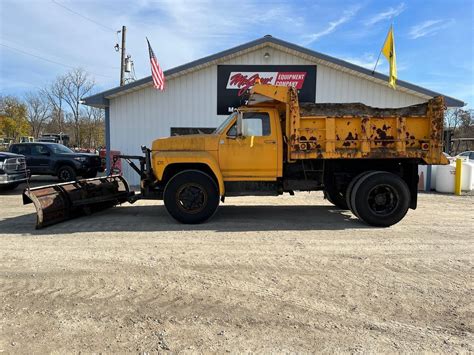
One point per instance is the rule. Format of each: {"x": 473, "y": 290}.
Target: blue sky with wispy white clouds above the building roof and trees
{"x": 41, "y": 39}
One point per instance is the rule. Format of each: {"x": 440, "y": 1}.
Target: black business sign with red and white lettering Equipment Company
{"x": 233, "y": 81}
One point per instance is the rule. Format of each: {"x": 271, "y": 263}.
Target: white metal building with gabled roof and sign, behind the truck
{"x": 200, "y": 94}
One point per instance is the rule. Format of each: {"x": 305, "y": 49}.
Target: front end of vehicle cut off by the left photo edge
{"x": 12, "y": 170}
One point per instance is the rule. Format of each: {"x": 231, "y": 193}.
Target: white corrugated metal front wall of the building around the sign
{"x": 190, "y": 100}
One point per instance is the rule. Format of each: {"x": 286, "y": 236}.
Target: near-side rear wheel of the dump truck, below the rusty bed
{"x": 380, "y": 199}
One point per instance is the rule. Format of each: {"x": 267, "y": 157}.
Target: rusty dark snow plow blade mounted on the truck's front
{"x": 60, "y": 202}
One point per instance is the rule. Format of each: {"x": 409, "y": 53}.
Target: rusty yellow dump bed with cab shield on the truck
{"x": 357, "y": 131}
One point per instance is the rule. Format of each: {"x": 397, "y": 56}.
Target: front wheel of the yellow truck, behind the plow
{"x": 191, "y": 197}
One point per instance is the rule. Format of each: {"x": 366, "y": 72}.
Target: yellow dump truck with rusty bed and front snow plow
{"x": 364, "y": 159}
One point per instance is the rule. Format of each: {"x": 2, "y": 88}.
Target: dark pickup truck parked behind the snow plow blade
{"x": 57, "y": 160}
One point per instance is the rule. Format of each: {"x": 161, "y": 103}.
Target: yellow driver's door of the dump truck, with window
{"x": 254, "y": 155}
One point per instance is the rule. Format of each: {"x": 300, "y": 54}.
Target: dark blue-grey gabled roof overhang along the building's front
{"x": 102, "y": 99}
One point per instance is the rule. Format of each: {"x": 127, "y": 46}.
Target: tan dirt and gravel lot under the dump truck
{"x": 266, "y": 274}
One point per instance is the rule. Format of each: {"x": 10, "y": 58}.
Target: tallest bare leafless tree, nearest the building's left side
{"x": 77, "y": 85}
